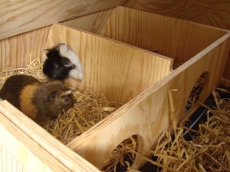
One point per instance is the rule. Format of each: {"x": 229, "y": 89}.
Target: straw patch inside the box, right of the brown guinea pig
{"x": 87, "y": 111}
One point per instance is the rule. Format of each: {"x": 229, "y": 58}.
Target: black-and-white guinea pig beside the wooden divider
{"x": 62, "y": 62}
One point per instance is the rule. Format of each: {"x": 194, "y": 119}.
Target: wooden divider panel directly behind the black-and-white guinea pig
{"x": 112, "y": 67}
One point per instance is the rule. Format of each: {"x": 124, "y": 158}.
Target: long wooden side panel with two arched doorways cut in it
{"x": 149, "y": 114}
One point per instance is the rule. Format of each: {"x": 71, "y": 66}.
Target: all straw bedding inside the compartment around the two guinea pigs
{"x": 87, "y": 111}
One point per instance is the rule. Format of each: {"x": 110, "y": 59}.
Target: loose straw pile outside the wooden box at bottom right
{"x": 208, "y": 151}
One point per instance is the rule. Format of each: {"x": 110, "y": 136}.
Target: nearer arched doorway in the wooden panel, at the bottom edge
{"x": 122, "y": 156}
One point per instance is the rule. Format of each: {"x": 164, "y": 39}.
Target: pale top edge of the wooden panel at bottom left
{"x": 69, "y": 159}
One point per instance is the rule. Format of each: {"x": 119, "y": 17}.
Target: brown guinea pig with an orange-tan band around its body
{"x": 42, "y": 102}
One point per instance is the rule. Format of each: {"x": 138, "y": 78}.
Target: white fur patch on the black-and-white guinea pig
{"x": 67, "y": 52}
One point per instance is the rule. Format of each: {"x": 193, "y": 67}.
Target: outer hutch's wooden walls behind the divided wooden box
{"x": 19, "y": 17}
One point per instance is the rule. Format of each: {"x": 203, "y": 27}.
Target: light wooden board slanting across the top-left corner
{"x": 21, "y": 16}
